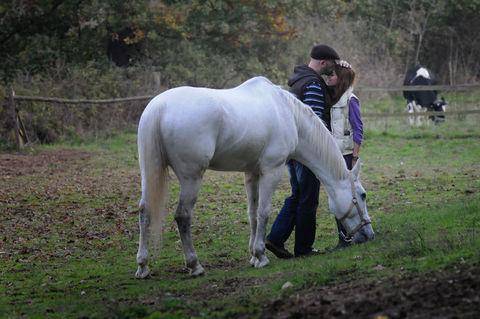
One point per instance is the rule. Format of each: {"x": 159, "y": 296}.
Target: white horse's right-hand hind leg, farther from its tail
{"x": 189, "y": 188}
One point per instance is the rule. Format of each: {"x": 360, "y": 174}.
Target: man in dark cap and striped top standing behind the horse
{"x": 299, "y": 210}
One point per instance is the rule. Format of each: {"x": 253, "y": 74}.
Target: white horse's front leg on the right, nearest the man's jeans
{"x": 267, "y": 184}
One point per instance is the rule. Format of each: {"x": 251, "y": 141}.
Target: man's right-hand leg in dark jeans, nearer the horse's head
{"x": 305, "y": 221}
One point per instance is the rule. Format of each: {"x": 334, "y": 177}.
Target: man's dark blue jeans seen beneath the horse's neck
{"x": 298, "y": 211}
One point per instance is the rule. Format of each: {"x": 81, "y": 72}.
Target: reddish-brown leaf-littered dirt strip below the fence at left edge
{"x": 12, "y": 165}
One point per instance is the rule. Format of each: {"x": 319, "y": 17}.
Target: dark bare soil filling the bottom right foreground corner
{"x": 450, "y": 293}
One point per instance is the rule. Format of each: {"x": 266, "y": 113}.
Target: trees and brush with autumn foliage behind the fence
{"x": 111, "y": 48}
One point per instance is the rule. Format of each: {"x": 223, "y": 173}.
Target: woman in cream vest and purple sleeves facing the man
{"x": 346, "y": 123}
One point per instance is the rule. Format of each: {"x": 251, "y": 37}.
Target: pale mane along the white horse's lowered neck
{"x": 317, "y": 135}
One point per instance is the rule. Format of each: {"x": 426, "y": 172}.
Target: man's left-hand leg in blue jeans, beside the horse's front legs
{"x": 285, "y": 221}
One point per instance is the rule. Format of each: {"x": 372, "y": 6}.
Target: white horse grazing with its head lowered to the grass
{"x": 253, "y": 128}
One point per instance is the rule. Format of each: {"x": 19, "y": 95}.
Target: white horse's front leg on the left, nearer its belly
{"x": 251, "y": 187}
